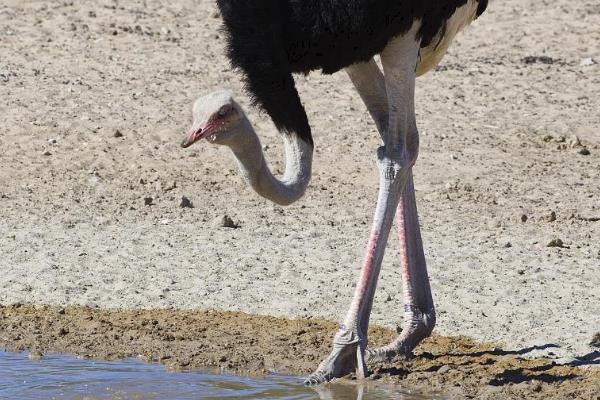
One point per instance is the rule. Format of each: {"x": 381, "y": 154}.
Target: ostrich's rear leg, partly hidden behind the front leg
{"x": 419, "y": 314}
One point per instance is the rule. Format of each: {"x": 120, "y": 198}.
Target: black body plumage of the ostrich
{"x": 268, "y": 40}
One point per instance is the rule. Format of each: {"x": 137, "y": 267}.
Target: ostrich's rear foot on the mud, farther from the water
{"x": 418, "y": 327}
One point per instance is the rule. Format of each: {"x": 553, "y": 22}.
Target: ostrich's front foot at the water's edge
{"x": 348, "y": 354}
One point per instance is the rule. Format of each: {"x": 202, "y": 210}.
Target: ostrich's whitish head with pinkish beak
{"x": 217, "y": 118}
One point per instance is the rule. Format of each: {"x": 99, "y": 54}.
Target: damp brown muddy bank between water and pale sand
{"x": 252, "y": 344}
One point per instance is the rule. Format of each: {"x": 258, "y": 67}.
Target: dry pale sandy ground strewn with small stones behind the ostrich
{"x": 95, "y": 97}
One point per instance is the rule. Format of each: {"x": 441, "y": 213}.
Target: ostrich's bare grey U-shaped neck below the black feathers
{"x": 254, "y": 168}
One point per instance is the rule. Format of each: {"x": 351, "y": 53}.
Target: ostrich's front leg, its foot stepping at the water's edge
{"x": 395, "y": 160}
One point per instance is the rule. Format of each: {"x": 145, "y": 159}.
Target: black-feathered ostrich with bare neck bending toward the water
{"x": 268, "y": 41}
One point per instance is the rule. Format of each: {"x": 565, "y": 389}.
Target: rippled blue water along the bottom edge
{"x": 58, "y": 376}
